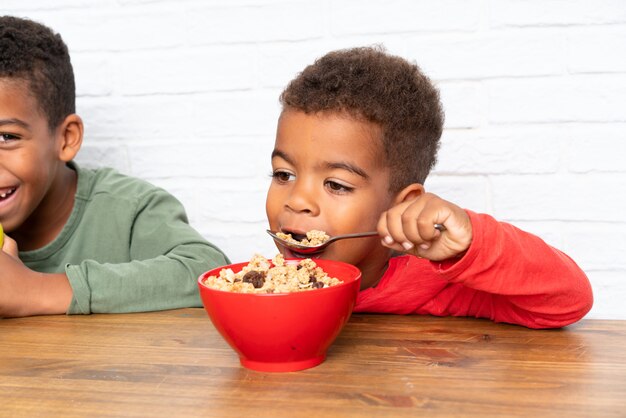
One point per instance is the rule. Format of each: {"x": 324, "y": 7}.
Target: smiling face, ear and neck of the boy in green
{"x": 33, "y": 176}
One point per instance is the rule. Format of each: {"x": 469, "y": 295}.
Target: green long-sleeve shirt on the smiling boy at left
{"x": 126, "y": 247}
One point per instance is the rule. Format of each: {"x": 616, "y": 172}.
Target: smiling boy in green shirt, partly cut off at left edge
{"x": 78, "y": 241}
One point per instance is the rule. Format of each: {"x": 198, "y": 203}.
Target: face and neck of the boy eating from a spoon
{"x": 328, "y": 174}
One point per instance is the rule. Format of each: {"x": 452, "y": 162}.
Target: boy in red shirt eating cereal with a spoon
{"x": 357, "y": 136}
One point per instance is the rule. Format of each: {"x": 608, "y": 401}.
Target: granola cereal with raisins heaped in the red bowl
{"x": 263, "y": 276}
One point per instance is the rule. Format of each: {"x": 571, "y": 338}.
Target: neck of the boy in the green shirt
{"x": 47, "y": 221}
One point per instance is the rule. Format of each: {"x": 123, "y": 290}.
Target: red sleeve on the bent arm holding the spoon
{"x": 509, "y": 275}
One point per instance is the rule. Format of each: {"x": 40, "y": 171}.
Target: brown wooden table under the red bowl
{"x": 174, "y": 364}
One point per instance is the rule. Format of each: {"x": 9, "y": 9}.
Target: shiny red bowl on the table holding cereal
{"x": 283, "y": 332}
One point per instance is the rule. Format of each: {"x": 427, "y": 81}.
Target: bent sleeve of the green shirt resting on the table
{"x": 167, "y": 257}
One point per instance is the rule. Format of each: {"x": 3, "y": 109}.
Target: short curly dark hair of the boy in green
{"x": 32, "y": 52}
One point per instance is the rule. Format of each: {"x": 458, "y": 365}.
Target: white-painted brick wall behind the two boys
{"x": 184, "y": 94}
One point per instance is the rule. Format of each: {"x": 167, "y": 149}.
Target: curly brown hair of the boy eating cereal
{"x": 369, "y": 84}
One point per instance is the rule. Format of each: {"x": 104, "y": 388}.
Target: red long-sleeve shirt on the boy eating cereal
{"x": 506, "y": 275}
